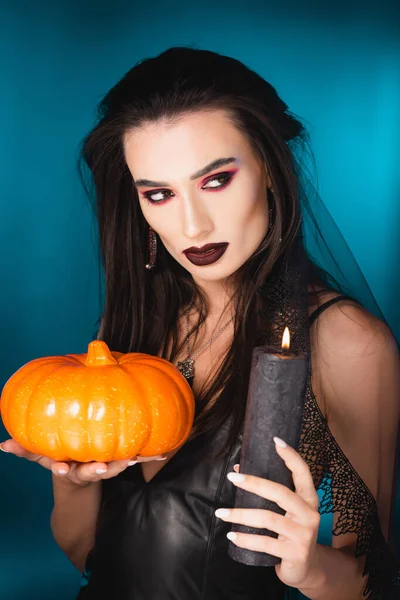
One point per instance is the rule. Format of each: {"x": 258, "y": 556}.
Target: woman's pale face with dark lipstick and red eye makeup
{"x": 190, "y": 203}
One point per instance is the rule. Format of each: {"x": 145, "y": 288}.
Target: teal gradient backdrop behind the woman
{"x": 337, "y": 67}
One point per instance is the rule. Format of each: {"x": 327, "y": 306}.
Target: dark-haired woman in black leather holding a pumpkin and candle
{"x": 225, "y": 272}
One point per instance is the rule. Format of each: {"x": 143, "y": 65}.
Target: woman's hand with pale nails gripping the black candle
{"x": 296, "y": 544}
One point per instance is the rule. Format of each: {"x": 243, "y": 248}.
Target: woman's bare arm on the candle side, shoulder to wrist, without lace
{"x": 356, "y": 378}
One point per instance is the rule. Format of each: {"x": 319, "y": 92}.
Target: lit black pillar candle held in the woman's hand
{"x": 274, "y": 407}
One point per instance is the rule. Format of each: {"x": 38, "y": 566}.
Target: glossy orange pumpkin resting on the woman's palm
{"x": 98, "y": 406}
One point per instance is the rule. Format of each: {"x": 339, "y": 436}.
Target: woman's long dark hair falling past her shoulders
{"x": 142, "y": 308}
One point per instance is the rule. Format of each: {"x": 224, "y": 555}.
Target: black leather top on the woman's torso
{"x": 161, "y": 540}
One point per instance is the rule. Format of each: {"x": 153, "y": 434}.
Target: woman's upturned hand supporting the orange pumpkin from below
{"x": 78, "y": 473}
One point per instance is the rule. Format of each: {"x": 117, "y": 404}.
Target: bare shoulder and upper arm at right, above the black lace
{"x": 356, "y": 382}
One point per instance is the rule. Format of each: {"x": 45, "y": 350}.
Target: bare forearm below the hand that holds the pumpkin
{"x": 74, "y": 516}
